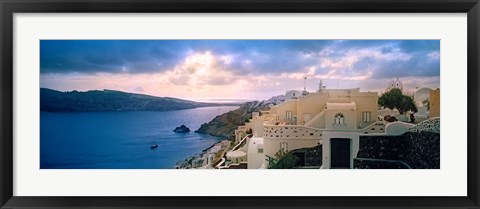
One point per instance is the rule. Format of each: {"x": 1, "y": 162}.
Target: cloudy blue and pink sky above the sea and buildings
{"x": 236, "y": 69}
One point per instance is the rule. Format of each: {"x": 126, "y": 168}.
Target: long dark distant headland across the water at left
{"x": 109, "y": 100}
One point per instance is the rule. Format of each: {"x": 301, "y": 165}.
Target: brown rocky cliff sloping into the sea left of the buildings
{"x": 224, "y": 125}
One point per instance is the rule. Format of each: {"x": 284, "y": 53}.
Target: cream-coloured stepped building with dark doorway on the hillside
{"x": 334, "y": 118}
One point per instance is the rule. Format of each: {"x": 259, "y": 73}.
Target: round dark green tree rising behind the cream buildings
{"x": 395, "y": 99}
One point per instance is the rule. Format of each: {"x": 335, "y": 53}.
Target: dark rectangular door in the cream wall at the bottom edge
{"x": 340, "y": 152}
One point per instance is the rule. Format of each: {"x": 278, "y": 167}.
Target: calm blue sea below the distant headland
{"x": 122, "y": 140}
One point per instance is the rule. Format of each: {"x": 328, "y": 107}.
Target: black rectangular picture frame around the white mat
{"x": 10, "y": 7}
